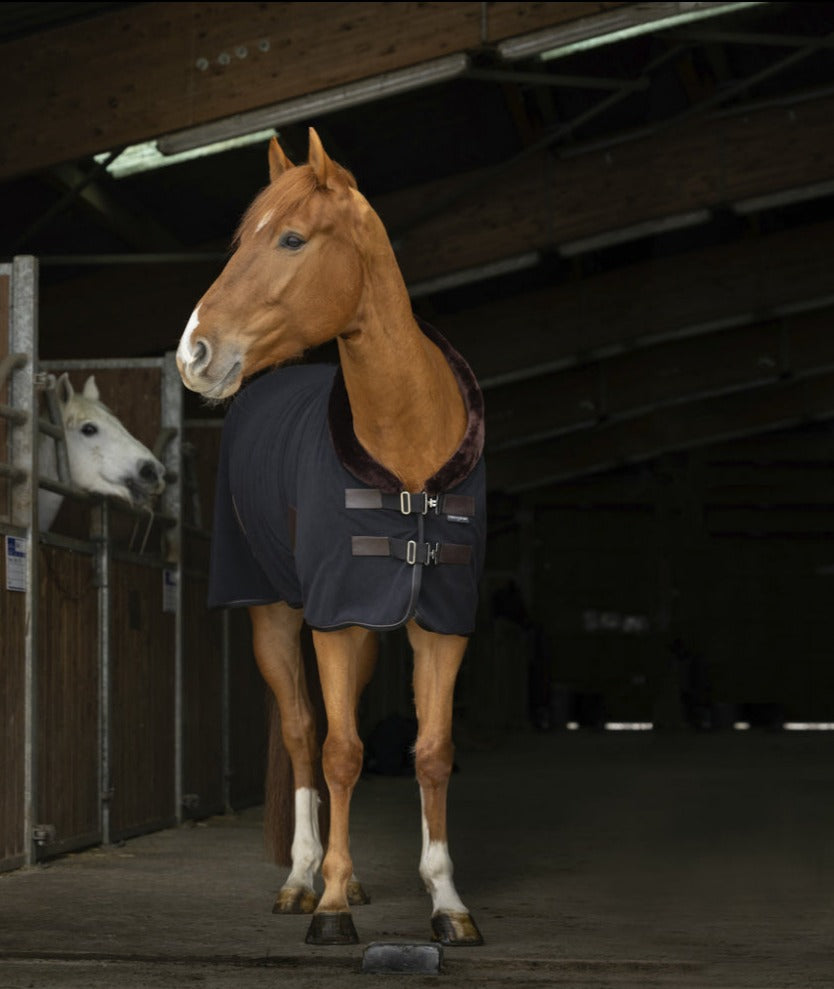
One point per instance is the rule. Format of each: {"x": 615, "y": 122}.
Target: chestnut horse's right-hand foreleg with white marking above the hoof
{"x": 437, "y": 659}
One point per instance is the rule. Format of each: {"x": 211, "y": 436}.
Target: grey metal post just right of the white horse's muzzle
{"x": 172, "y": 505}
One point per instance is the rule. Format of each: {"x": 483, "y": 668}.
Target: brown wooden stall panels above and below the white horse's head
{"x": 137, "y": 733}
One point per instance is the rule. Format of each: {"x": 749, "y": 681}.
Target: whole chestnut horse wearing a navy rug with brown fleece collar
{"x": 295, "y": 535}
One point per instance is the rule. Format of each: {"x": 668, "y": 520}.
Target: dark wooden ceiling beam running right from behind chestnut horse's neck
{"x": 644, "y": 304}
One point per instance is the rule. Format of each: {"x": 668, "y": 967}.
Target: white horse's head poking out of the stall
{"x": 103, "y": 456}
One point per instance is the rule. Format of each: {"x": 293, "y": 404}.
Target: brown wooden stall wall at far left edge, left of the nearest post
{"x": 12, "y": 659}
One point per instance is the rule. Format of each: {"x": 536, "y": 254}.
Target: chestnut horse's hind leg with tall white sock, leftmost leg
{"x": 276, "y": 639}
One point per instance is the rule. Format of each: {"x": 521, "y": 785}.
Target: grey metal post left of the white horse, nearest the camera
{"x": 24, "y": 339}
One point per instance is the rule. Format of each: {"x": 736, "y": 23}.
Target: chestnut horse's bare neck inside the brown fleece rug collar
{"x": 407, "y": 409}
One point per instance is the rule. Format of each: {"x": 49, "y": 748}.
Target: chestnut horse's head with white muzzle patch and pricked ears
{"x": 295, "y": 280}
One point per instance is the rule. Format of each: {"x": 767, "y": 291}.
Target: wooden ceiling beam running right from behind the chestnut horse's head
{"x": 542, "y": 202}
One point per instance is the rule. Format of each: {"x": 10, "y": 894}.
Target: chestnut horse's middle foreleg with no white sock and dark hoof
{"x": 344, "y": 660}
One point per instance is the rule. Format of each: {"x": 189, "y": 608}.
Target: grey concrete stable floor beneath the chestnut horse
{"x": 593, "y": 860}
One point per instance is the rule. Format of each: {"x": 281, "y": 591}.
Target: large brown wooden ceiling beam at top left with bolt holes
{"x": 153, "y": 68}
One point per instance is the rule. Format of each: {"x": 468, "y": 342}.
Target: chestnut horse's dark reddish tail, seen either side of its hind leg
{"x": 279, "y": 789}
